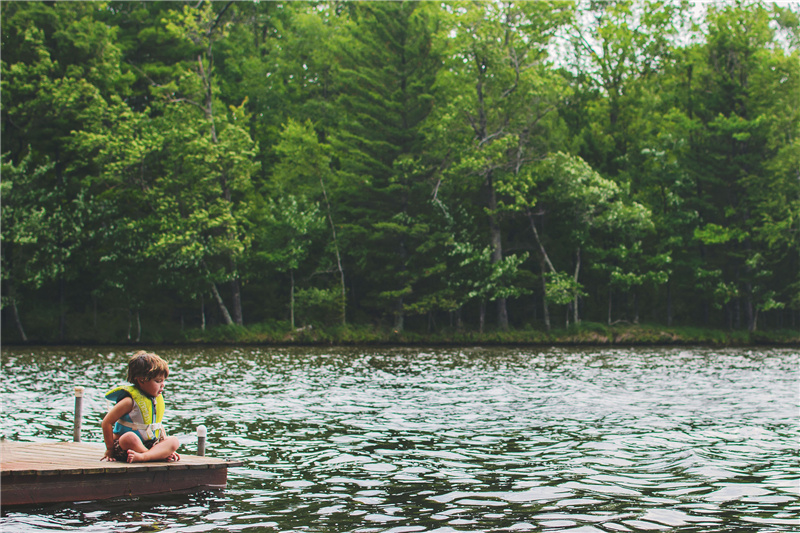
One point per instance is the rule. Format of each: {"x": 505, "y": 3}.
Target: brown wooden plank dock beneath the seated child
{"x": 49, "y": 472}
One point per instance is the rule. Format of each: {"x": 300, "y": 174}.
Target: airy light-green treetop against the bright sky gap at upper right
{"x": 618, "y": 50}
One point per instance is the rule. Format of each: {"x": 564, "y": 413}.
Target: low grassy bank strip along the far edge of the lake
{"x": 584, "y": 334}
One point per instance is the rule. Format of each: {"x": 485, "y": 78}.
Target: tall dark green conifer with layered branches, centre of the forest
{"x": 385, "y": 74}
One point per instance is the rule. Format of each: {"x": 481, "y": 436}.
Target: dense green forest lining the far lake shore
{"x": 172, "y": 168}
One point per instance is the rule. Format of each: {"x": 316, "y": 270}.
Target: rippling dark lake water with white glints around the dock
{"x": 446, "y": 440}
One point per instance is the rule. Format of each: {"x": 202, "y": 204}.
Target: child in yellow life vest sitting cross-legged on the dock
{"x": 132, "y": 429}
